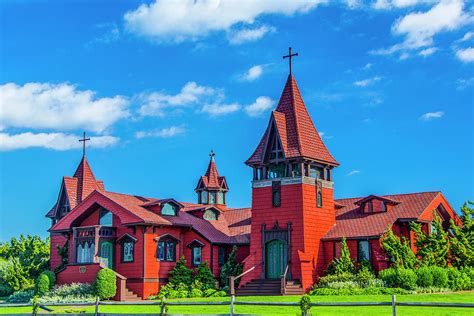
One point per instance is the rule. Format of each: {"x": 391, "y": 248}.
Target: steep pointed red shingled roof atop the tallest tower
{"x": 297, "y": 132}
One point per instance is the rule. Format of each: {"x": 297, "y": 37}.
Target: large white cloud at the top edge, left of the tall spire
{"x": 181, "y": 20}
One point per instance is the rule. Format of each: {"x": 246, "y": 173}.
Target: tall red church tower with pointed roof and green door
{"x": 292, "y": 194}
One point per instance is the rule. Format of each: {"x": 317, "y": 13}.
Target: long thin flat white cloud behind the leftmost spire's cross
{"x": 56, "y": 141}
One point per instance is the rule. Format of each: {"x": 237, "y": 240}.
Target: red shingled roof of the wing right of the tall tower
{"x": 351, "y": 222}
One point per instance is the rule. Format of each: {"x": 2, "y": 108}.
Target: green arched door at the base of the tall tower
{"x": 275, "y": 259}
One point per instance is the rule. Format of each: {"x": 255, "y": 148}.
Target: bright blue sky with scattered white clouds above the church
{"x": 157, "y": 85}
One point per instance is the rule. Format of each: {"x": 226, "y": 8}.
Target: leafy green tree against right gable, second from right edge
{"x": 433, "y": 247}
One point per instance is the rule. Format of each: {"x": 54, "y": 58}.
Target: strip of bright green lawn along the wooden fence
{"x": 461, "y": 297}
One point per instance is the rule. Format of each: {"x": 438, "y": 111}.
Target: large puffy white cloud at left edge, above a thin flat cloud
{"x": 58, "y": 107}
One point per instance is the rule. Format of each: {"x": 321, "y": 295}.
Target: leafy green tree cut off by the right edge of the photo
{"x": 462, "y": 239}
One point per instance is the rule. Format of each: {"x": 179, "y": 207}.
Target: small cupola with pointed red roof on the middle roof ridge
{"x": 212, "y": 188}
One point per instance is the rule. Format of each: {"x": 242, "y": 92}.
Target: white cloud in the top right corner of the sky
{"x": 419, "y": 28}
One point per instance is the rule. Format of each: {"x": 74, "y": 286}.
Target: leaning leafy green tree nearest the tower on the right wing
{"x": 398, "y": 250}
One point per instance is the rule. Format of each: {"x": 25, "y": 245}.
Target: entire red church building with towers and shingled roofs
{"x": 293, "y": 228}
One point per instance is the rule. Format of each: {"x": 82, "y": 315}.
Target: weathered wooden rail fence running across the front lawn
{"x": 232, "y": 303}
